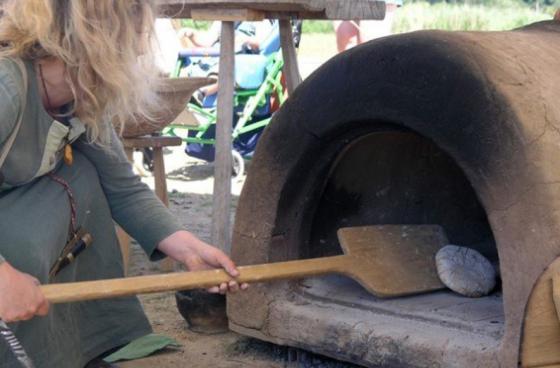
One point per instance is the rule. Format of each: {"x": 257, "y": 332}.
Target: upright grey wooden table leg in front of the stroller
{"x": 221, "y": 234}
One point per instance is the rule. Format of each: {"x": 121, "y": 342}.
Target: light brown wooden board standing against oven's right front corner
{"x": 541, "y": 331}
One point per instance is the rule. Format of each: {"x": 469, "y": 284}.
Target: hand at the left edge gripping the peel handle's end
{"x": 20, "y": 296}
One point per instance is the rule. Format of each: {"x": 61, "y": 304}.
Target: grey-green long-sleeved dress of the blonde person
{"x": 35, "y": 217}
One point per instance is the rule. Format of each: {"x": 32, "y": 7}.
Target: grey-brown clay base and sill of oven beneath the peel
{"x": 334, "y": 316}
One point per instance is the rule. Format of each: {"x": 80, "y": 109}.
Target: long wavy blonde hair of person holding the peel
{"x": 106, "y": 46}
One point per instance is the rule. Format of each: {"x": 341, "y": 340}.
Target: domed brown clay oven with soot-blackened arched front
{"x": 456, "y": 129}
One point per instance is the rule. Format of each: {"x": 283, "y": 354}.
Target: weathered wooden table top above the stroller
{"x": 277, "y": 9}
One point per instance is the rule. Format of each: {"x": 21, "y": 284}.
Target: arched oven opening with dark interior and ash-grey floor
{"x": 400, "y": 177}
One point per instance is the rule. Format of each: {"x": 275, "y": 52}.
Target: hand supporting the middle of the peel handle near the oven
{"x": 198, "y": 256}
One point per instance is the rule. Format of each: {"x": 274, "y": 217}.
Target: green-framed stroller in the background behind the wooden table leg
{"x": 258, "y": 94}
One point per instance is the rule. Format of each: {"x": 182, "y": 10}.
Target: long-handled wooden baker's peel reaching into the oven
{"x": 387, "y": 260}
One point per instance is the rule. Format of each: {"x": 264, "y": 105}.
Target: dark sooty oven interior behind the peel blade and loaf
{"x": 377, "y": 173}
